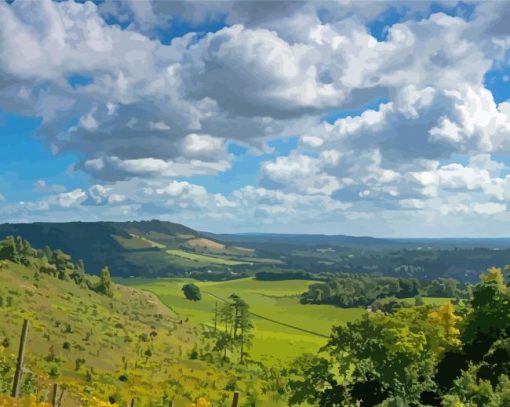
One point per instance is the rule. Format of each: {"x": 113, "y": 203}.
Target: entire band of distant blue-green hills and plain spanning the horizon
{"x": 161, "y": 249}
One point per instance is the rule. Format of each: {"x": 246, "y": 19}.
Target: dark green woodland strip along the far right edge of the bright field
{"x": 362, "y": 290}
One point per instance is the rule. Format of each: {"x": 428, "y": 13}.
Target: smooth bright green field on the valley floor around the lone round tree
{"x": 278, "y": 300}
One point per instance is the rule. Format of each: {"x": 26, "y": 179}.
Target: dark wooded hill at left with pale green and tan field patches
{"x": 148, "y": 248}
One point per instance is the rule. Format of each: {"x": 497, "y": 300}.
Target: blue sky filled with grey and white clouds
{"x": 353, "y": 117}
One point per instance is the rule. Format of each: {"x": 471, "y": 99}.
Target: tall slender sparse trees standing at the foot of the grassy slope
{"x": 233, "y": 328}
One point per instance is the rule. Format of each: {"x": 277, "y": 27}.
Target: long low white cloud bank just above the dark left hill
{"x": 137, "y": 198}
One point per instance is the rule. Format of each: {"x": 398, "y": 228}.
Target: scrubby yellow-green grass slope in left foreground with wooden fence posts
{"x": 104, "y": 347}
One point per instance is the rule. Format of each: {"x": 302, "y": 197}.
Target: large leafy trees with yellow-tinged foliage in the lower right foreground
{"x": 418, "y": 356}
